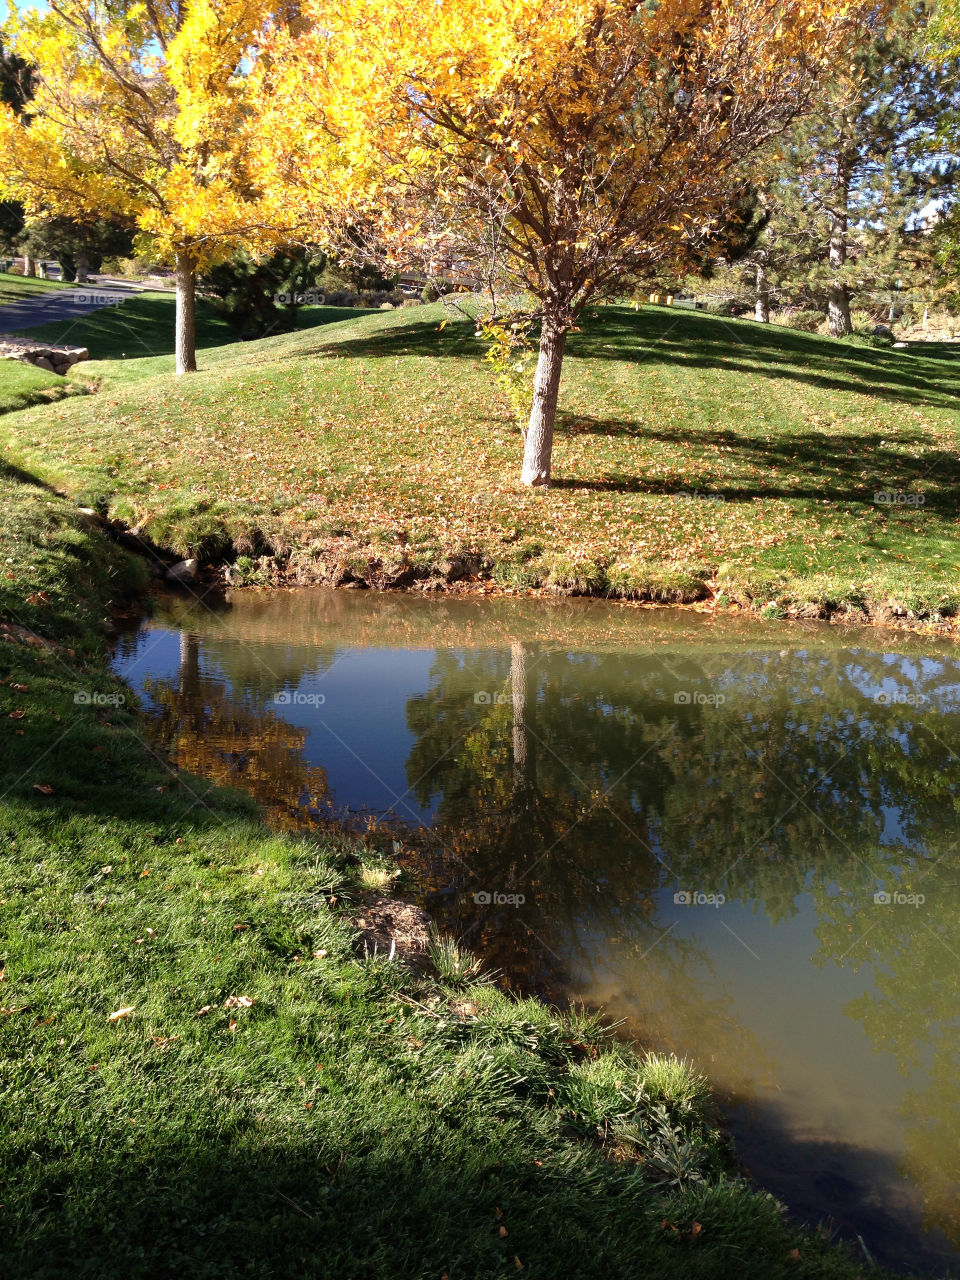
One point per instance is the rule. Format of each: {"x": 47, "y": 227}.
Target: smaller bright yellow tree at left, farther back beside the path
{"x": 141, "y": 116}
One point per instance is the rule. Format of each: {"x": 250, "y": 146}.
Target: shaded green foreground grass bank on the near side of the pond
{"x": 200, "y": 1076}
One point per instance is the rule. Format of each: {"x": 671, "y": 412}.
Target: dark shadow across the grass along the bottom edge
{"x": 360, "y": 1196}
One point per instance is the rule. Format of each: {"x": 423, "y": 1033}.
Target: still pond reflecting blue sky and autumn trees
{"x": 742, "y": 838}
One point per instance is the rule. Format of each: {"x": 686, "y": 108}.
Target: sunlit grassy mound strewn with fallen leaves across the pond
{"x": 696, "y": 458}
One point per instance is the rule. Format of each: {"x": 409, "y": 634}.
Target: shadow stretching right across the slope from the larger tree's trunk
{"x": 849, "y": 468}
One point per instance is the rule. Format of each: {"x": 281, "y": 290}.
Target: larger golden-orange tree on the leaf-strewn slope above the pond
{"x": 555, "y": 148}
